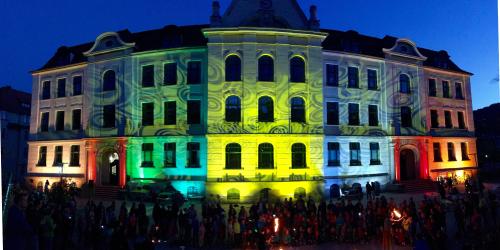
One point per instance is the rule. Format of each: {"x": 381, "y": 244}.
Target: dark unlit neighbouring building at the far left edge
{"x": 15, "y": 108}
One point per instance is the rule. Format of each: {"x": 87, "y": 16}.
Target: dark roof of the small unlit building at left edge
{"x": 15, "y": 101}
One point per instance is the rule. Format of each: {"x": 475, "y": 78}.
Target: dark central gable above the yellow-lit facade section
{"x": 265, "y": 13}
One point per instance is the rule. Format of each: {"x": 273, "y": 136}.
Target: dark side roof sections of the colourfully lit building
{"x": 173, "y": 36}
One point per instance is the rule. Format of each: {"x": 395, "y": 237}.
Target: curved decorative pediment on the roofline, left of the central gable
{"x": 108, "y": 42}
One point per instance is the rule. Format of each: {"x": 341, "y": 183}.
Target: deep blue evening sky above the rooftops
{"x": 32, "y": 30}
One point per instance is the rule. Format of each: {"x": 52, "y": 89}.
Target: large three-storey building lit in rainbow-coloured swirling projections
{"x": 261, "y": 101}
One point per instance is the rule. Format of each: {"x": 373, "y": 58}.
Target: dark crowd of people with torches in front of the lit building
{"x": 55, "y": 218}
